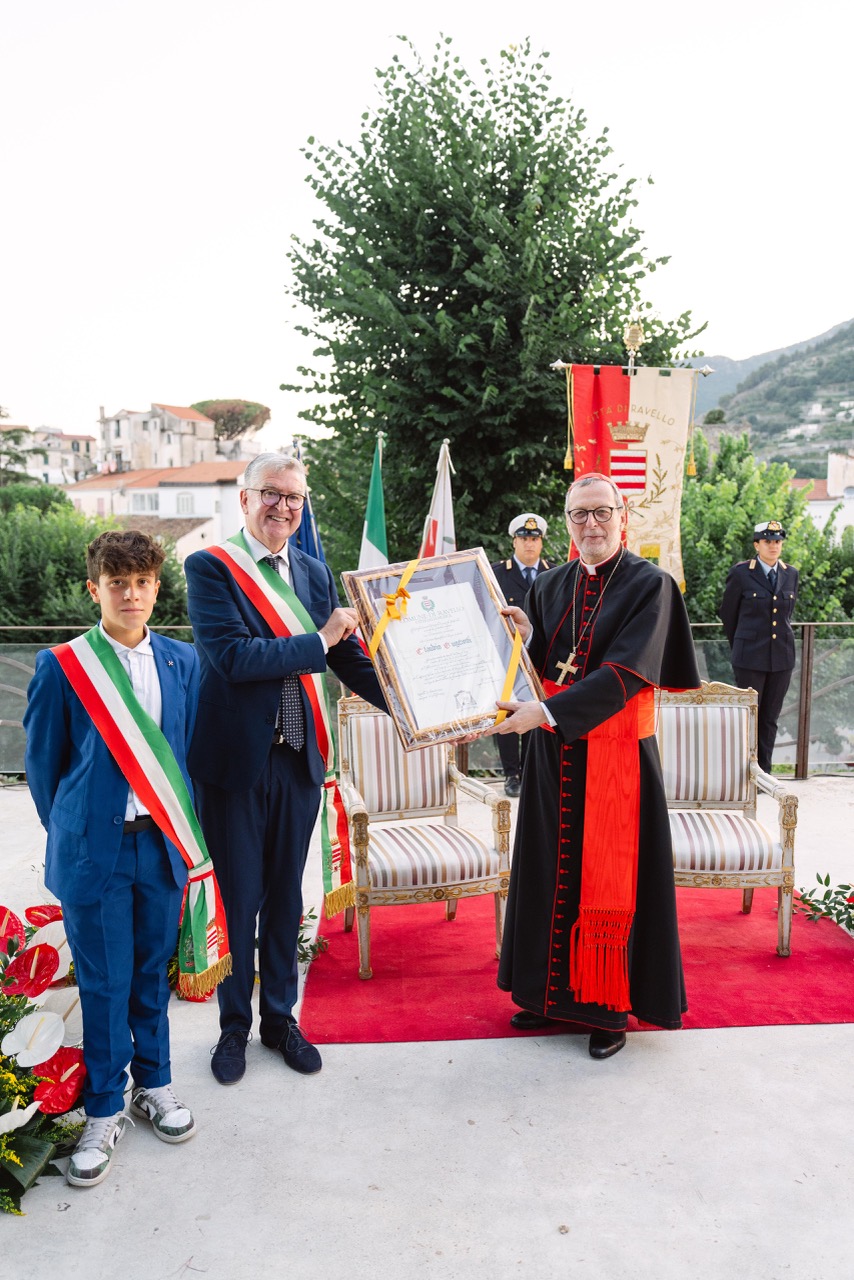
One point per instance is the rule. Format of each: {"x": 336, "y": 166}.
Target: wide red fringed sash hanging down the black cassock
{"x": 600, "y": 938}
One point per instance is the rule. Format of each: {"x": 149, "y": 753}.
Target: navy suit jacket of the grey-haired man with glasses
{"x": 243, "y": 665}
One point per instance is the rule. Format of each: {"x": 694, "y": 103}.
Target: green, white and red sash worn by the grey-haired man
{"x": 286, "y": 616}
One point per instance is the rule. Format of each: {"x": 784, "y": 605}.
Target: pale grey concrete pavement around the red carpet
{"x": 698, "y": 1154}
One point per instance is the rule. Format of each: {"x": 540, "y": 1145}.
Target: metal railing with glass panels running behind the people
{"x": 816, "y": 725}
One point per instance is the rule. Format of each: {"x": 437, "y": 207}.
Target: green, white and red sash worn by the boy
{"x": 149, "y": 765}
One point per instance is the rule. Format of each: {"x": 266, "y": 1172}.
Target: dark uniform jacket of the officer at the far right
{"x": 757, "y": 620}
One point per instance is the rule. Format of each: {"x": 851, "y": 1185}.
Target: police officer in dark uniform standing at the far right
{"x": 757, "y": 609}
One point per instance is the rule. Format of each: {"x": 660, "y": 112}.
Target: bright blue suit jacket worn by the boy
{"x": 79, "y": 789}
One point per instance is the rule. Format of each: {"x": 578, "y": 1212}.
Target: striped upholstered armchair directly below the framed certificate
{"x": 404, "y": 831}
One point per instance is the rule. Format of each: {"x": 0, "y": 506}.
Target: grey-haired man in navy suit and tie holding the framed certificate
{"x": 255, "y": 757}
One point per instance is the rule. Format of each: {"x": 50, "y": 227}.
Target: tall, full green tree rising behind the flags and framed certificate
{"x": 468, "y": 240}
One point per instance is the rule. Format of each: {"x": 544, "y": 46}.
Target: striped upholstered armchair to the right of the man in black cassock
{"x": 709, "y": 748}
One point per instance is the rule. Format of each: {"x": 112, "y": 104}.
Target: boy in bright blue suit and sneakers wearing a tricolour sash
{"x": 118, "y": 880}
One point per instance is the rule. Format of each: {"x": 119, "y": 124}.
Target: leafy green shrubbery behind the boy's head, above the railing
{"x": 43, "y": 573}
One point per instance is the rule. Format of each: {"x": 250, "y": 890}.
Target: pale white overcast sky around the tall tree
{"x": 152, "y": 175}
